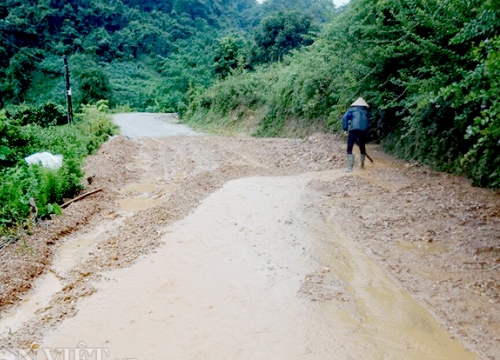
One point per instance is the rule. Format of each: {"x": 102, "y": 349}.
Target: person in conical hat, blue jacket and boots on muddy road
{"x": 356, "y": 122}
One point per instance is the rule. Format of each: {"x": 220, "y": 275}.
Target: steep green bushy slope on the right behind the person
{"x": 429, "y": 69}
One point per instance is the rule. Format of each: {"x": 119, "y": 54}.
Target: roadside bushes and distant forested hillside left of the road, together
{"x": 137, "y": 55}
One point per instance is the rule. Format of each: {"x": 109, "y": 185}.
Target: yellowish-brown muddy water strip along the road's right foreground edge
{"x": 387, "y": 315}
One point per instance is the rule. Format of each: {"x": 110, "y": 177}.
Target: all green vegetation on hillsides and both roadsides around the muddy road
{"x": 429, "y": 68}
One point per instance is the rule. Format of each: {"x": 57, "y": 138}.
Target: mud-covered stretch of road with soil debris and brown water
{"x": 205, "y": 247}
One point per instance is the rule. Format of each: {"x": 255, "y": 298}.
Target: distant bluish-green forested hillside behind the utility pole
{"x": 144, "y": 54}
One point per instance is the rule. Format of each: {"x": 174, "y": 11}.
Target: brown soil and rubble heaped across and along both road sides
{"x": 437, "y": 236}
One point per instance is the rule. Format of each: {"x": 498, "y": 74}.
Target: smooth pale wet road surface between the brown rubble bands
{"x": 225, "y": 285}
